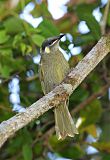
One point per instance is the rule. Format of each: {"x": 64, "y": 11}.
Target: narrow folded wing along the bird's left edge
{"x": 41, "y": 77}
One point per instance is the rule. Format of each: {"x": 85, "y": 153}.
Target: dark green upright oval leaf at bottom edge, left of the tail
{"x": 27, "y": 152}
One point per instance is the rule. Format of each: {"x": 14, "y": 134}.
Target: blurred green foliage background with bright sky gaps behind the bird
{"x": 24, "y": 24}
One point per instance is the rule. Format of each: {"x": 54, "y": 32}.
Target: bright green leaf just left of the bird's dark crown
{"x": 37, "y": 39}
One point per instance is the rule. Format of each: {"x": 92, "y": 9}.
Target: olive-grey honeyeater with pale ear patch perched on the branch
{"x": 53, "y": 69}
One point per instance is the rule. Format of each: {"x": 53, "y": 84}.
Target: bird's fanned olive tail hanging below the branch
{"x": 64, "y": 124}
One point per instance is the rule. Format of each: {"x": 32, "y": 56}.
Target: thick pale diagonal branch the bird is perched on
{"x": 59, "y": 94}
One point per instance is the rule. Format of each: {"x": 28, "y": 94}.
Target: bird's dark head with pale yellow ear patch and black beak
{"x": 51, "y": 44}
